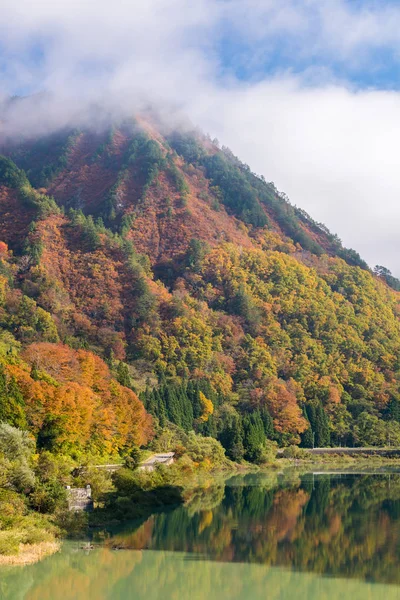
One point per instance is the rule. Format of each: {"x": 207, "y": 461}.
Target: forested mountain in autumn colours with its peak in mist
{"x": 162, "y": 261}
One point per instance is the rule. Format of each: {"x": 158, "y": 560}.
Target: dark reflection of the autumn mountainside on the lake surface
{"x": 348, "y": 526}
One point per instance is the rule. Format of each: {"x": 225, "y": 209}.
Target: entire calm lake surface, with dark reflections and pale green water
{"x": 252, "y": 537}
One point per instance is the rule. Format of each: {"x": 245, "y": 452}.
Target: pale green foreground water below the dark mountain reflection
{"x": 105, "y": 575}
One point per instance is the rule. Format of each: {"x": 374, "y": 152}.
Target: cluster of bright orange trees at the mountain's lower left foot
{"x": 76, "y": 389}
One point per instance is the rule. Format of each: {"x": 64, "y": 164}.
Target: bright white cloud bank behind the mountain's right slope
{"x": 332, "y": 150}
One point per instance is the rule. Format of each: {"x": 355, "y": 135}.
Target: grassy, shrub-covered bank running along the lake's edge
{"x": 33, "y": 519}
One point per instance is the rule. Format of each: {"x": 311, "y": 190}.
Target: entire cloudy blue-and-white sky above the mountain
{"x": 307, "y": 92}
